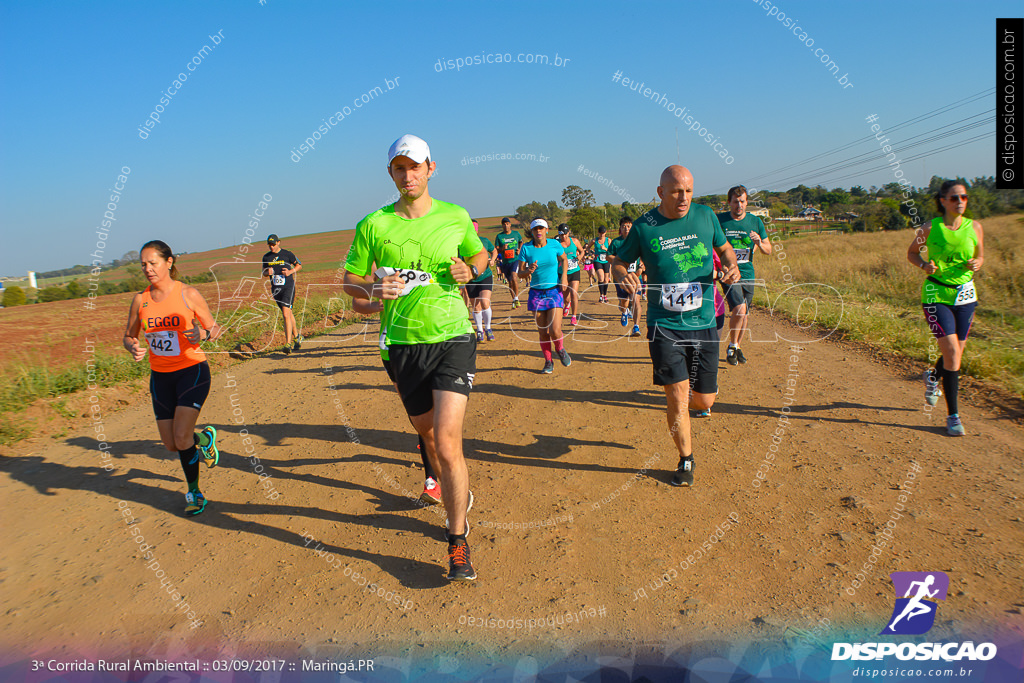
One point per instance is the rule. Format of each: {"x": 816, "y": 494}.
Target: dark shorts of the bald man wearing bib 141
{"x": 679, "y": 356}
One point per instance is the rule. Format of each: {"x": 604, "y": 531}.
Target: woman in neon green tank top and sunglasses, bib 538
{"x": 955, "y": 248}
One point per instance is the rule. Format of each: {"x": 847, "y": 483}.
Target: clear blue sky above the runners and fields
{"x": 80, "y": 79}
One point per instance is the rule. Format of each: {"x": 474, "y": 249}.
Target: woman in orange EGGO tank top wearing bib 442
{"x": 170, "y": 320}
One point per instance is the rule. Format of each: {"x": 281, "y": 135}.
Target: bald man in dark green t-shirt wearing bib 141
{"x": 675, "y": 242}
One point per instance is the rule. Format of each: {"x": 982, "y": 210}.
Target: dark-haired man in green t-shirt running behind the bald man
{"x": 747, "y": 235}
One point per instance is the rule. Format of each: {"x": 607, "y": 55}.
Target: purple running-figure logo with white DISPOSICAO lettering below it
{"x": 914, "y": 615}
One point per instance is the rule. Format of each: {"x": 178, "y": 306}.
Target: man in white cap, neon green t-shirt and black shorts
{"x": 425, "y": 249}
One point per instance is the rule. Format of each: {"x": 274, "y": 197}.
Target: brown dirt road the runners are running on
{"x": 574, "y": 513}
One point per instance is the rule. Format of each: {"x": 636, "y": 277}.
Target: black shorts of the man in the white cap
{"x": 422, "y": 369}
